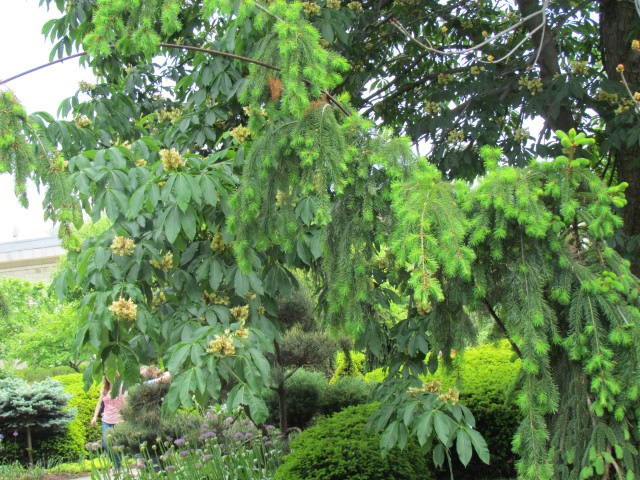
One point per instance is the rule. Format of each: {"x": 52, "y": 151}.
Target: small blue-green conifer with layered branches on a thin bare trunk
{"x": 40, "y": 406}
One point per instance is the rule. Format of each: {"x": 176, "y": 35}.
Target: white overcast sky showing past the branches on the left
{"x": 24, "y": 47}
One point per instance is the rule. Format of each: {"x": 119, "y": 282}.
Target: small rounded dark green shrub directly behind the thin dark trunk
{"x": 305, "y": 392}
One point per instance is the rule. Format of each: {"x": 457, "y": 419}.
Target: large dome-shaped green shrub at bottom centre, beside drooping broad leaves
{"x": 339, "y": 448}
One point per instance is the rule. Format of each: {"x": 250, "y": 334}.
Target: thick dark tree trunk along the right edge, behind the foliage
{"x": 616, "y": 20}
